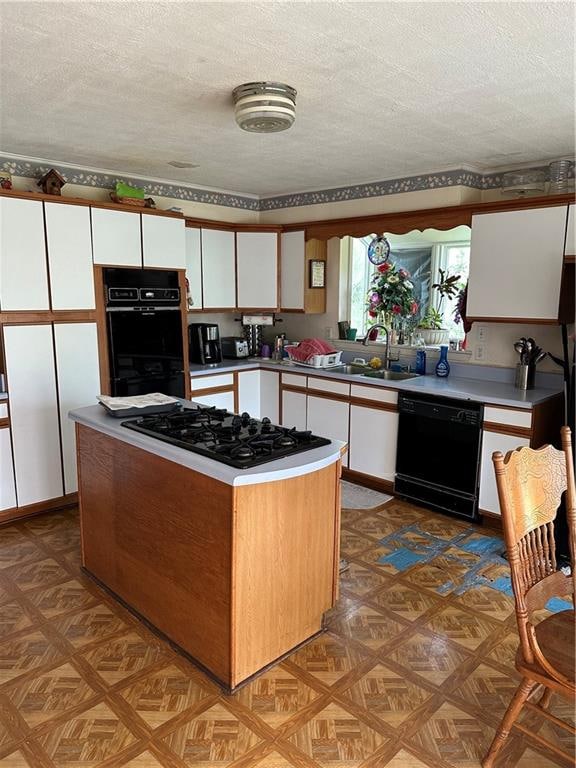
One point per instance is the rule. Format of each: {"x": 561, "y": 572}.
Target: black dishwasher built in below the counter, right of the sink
{"x": 438, "y": 452}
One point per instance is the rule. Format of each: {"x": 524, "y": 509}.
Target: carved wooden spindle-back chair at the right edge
{"x": 530, "y": 485}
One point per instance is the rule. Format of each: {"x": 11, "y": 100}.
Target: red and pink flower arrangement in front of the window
{"x": 391, "y": 293}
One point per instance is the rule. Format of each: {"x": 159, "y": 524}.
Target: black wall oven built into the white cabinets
{"x": 144, "y": 324}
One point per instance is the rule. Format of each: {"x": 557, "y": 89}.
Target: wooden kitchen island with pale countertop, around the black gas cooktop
{"x": 235, "y": 566}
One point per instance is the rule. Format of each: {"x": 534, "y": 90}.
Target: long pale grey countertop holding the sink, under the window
{"x": 479, "y": 390}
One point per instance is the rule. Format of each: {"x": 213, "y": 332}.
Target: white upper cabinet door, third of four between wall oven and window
{"x": 257, "y": 268}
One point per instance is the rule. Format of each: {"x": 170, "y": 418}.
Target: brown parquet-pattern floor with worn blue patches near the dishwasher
{"x": 414, "y": 670}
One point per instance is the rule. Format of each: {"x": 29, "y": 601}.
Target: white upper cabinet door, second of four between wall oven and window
{"x": 218, "y": 269}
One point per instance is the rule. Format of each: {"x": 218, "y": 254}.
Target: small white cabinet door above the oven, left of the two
{"x": 116, "y": 238}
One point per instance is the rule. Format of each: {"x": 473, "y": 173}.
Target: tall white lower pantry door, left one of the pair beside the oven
{"x": 29, "y": 352}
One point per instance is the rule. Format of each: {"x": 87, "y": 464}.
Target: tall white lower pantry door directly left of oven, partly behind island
{"x": 78, "y": 385}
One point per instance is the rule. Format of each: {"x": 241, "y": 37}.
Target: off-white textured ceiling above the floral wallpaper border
{"x": 385, "y": 89}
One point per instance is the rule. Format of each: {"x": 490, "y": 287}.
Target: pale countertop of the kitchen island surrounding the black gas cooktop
{"x": 95, "y": 416}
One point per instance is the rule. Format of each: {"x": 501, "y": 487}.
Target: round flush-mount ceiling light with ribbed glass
{"x": 264, "y": 107}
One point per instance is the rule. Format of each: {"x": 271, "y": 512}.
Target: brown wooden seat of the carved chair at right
{"x": 556, "y": 638}
